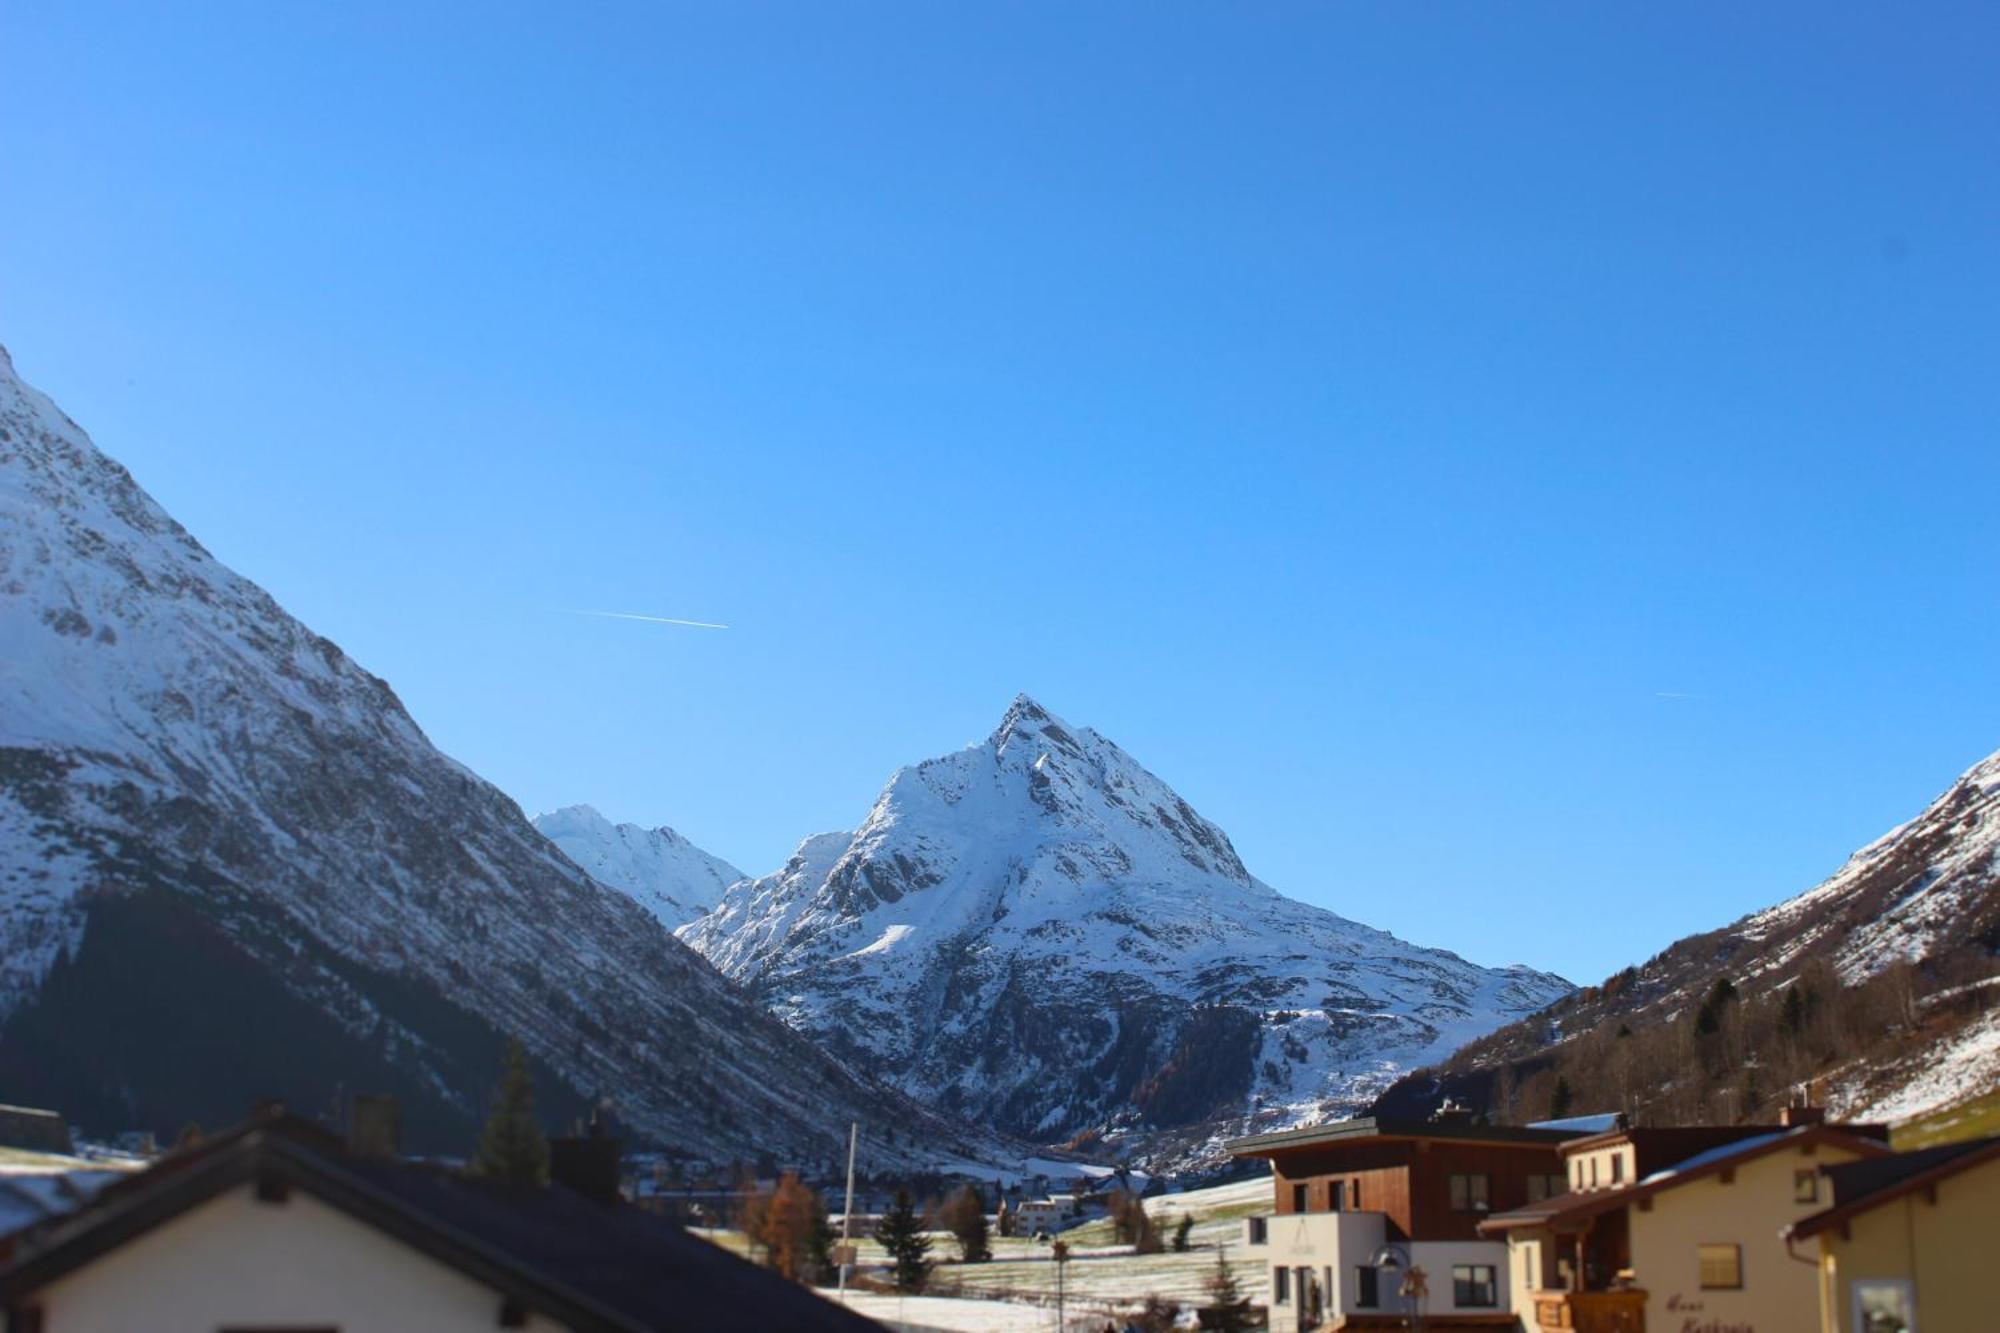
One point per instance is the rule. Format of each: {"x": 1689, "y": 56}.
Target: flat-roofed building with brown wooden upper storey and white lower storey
{"x": 1365, "y": 1206}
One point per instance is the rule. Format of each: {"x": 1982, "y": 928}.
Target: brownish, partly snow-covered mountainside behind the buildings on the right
{"x": 1891, "y": 960}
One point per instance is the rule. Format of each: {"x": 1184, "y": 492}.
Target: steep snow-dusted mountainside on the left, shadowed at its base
{"x": 231, "y": 866}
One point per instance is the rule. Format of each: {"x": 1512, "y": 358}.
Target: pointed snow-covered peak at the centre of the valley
{"x": 1039, "y": 934}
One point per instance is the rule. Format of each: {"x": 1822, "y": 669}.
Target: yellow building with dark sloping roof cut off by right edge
{"x": 1907, "y": 1242}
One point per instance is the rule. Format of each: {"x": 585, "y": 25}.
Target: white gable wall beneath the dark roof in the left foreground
{"x": 239, "y": 1262}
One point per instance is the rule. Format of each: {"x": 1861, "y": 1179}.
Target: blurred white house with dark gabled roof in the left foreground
{"x": 279, "y": 1226}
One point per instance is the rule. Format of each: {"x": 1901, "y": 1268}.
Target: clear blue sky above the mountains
{"x": 1527, "y": 471}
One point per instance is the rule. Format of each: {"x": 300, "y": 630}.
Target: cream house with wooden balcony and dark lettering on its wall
{"x": 1677, "y": 1230}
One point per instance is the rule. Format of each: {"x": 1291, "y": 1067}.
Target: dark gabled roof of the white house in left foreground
{"x": 595, "y": 1268}
